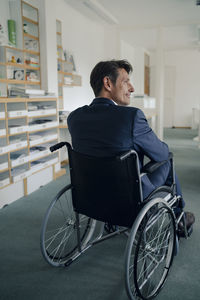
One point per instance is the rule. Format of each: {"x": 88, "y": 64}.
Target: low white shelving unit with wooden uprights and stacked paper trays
{"x": 28, "y": 127}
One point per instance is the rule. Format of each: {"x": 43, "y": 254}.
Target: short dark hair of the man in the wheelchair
{"x": 107, "y": 68}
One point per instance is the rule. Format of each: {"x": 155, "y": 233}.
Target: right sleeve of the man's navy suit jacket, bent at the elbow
{"x": 146, "y": 141}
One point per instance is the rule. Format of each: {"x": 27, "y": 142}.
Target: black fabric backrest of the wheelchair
{"x": 106, "y": 189}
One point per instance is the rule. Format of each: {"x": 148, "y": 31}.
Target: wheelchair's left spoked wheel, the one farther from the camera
{"x": 58, "y": 238}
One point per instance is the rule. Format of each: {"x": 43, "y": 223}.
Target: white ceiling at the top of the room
{"x": 139, "y": 20}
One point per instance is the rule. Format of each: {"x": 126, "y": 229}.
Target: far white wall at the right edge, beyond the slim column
{"x": 187, "y": 89}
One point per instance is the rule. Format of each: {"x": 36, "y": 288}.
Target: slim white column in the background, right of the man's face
{"x": 159, "y": 82}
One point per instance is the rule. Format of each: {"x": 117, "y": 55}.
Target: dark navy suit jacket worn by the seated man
{"x": 105, "y": 129}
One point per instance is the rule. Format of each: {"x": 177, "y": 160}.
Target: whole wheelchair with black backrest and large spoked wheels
{"x": 108, "y": 191}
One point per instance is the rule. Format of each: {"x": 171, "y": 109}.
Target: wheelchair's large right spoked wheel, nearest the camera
{"x": 150, "y": 250}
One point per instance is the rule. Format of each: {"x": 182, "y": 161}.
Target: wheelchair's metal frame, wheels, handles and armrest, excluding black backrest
{"x": 152, "y": 239}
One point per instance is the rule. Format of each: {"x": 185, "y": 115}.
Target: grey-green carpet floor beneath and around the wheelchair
{"x": 98, "y": 274}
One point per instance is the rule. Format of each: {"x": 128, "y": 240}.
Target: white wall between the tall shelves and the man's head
{"x": 85, "y": 39}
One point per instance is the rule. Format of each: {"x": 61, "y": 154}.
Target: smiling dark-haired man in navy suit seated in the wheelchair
{"x": 108, "y": 127}
